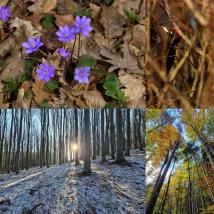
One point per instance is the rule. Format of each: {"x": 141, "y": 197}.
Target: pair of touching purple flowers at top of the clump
{"x": 81, "y": 25}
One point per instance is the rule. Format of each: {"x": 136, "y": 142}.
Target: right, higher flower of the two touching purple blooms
{"x": 82, "y": 25}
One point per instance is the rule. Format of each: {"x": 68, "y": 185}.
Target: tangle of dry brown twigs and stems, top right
{"x": 180, "y": 53}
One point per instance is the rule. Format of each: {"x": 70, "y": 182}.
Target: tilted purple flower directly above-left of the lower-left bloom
{"x": 32, "y": 45}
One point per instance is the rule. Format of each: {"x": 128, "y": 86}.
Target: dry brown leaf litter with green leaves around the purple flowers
{"x": 115, "y": 46}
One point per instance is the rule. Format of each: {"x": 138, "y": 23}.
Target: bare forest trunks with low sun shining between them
{"x": 41, "y": 137}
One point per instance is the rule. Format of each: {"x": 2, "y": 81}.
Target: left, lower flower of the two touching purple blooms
{"x": 66, "y": 33}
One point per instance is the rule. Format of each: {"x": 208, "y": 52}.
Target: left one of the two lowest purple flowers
{"x": 45, "y": 71}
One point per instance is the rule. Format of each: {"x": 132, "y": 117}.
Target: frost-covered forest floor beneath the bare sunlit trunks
{"x": 109, "y": 189}
